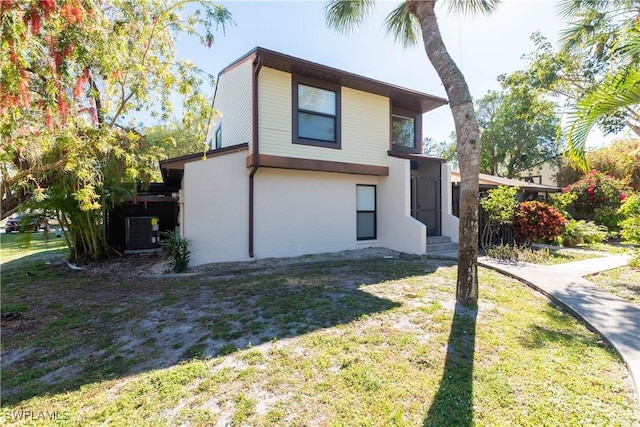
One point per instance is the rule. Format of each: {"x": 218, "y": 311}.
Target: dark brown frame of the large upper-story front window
{"x": 297, "y": 80}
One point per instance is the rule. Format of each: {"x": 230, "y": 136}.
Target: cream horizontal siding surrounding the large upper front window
{"x": 365, "y": 124}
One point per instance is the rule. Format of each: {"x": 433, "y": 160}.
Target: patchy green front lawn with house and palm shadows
{"x": 378, "y": 342}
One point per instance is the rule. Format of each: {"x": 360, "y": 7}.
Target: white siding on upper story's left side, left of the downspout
{"x": 233, "y": 101}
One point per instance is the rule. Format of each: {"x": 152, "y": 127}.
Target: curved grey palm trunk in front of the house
{"x": 468, "y": 147}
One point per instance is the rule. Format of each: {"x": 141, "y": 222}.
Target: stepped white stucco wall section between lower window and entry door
{"x": 397, "y": 229}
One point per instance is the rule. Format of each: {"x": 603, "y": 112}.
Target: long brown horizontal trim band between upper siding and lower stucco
{"x": 280, "y": 162}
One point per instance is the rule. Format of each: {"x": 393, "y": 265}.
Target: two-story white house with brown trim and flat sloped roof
{"x": 308, "y": 159}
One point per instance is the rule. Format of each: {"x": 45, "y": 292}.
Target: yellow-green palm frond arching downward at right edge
{"x": 615, "y": 92}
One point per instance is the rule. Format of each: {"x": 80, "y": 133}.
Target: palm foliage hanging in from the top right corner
{"x": 609, "y": 30}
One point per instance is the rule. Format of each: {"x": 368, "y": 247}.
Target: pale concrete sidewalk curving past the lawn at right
{"x": 617, "y": 320}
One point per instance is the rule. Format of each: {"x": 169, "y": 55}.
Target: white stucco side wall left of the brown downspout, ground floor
{"x": 216, "y": 214}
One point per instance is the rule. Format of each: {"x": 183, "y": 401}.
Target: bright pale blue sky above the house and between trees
{"x": 484, "y": 47}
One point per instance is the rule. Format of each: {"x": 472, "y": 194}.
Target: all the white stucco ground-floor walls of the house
{"x": 295, "y": 212}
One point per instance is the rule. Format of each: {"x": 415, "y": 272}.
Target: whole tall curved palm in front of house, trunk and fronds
{"x": 405, "y": 23}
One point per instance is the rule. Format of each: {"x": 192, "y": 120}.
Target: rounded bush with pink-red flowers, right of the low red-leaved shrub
{"x": 598, "y": 197}
